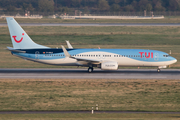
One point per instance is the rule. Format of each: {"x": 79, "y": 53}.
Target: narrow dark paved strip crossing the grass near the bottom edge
{"x": 55, "y": 112}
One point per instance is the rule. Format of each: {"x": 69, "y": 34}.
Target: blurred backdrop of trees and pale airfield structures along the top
{"x": 59, "y": 8}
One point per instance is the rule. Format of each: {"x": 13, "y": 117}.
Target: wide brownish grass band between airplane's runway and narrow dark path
{"x": 67, "y": 94}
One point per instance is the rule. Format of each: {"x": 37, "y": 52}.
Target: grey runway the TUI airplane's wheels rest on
{"x": 83, "y": 74}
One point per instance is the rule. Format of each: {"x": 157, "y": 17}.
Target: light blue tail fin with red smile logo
{"x": 19, "y": 37}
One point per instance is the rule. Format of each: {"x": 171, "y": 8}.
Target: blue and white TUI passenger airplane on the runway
{"x": 105, "y": 59}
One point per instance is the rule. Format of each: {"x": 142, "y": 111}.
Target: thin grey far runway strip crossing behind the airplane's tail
{"x": 96, "y": 24}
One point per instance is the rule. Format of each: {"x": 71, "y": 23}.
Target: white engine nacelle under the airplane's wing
{"x": 109, "y": 65}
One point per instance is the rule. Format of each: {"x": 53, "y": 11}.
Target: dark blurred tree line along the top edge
{"x": 88, "y": 6}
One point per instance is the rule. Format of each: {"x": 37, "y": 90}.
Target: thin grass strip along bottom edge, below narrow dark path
{"x": 102, "y": 116}
